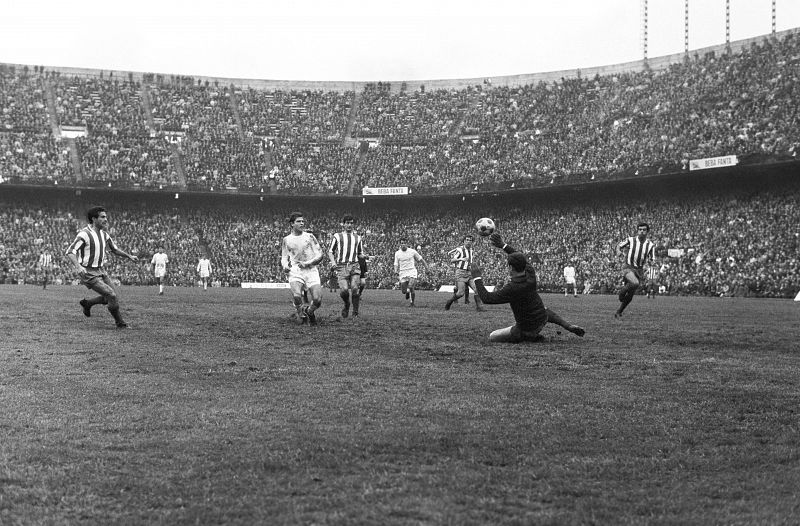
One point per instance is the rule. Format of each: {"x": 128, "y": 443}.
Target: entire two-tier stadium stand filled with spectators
{"x": 643, "y": 124}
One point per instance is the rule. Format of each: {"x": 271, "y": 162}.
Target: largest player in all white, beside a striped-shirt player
{"x": 300, "y": 255}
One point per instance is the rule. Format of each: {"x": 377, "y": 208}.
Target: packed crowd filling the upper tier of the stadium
{"x": 448, "y": 140}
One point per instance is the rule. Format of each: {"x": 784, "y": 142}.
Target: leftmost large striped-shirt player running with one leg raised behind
{"x": 88, "y": 254}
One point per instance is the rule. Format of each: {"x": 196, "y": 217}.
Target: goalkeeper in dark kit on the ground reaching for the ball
{"x": 530, "y": 314}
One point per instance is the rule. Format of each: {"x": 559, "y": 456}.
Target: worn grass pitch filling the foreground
{"x": 215, "y": 407}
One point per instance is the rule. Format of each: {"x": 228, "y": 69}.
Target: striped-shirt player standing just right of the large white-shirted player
{"x": 346, "y": 247}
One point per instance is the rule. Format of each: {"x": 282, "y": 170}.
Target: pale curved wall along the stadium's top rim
{"x": 657, "y": 63}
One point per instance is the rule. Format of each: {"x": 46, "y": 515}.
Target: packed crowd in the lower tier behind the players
{"x": 708, "y": 243}
